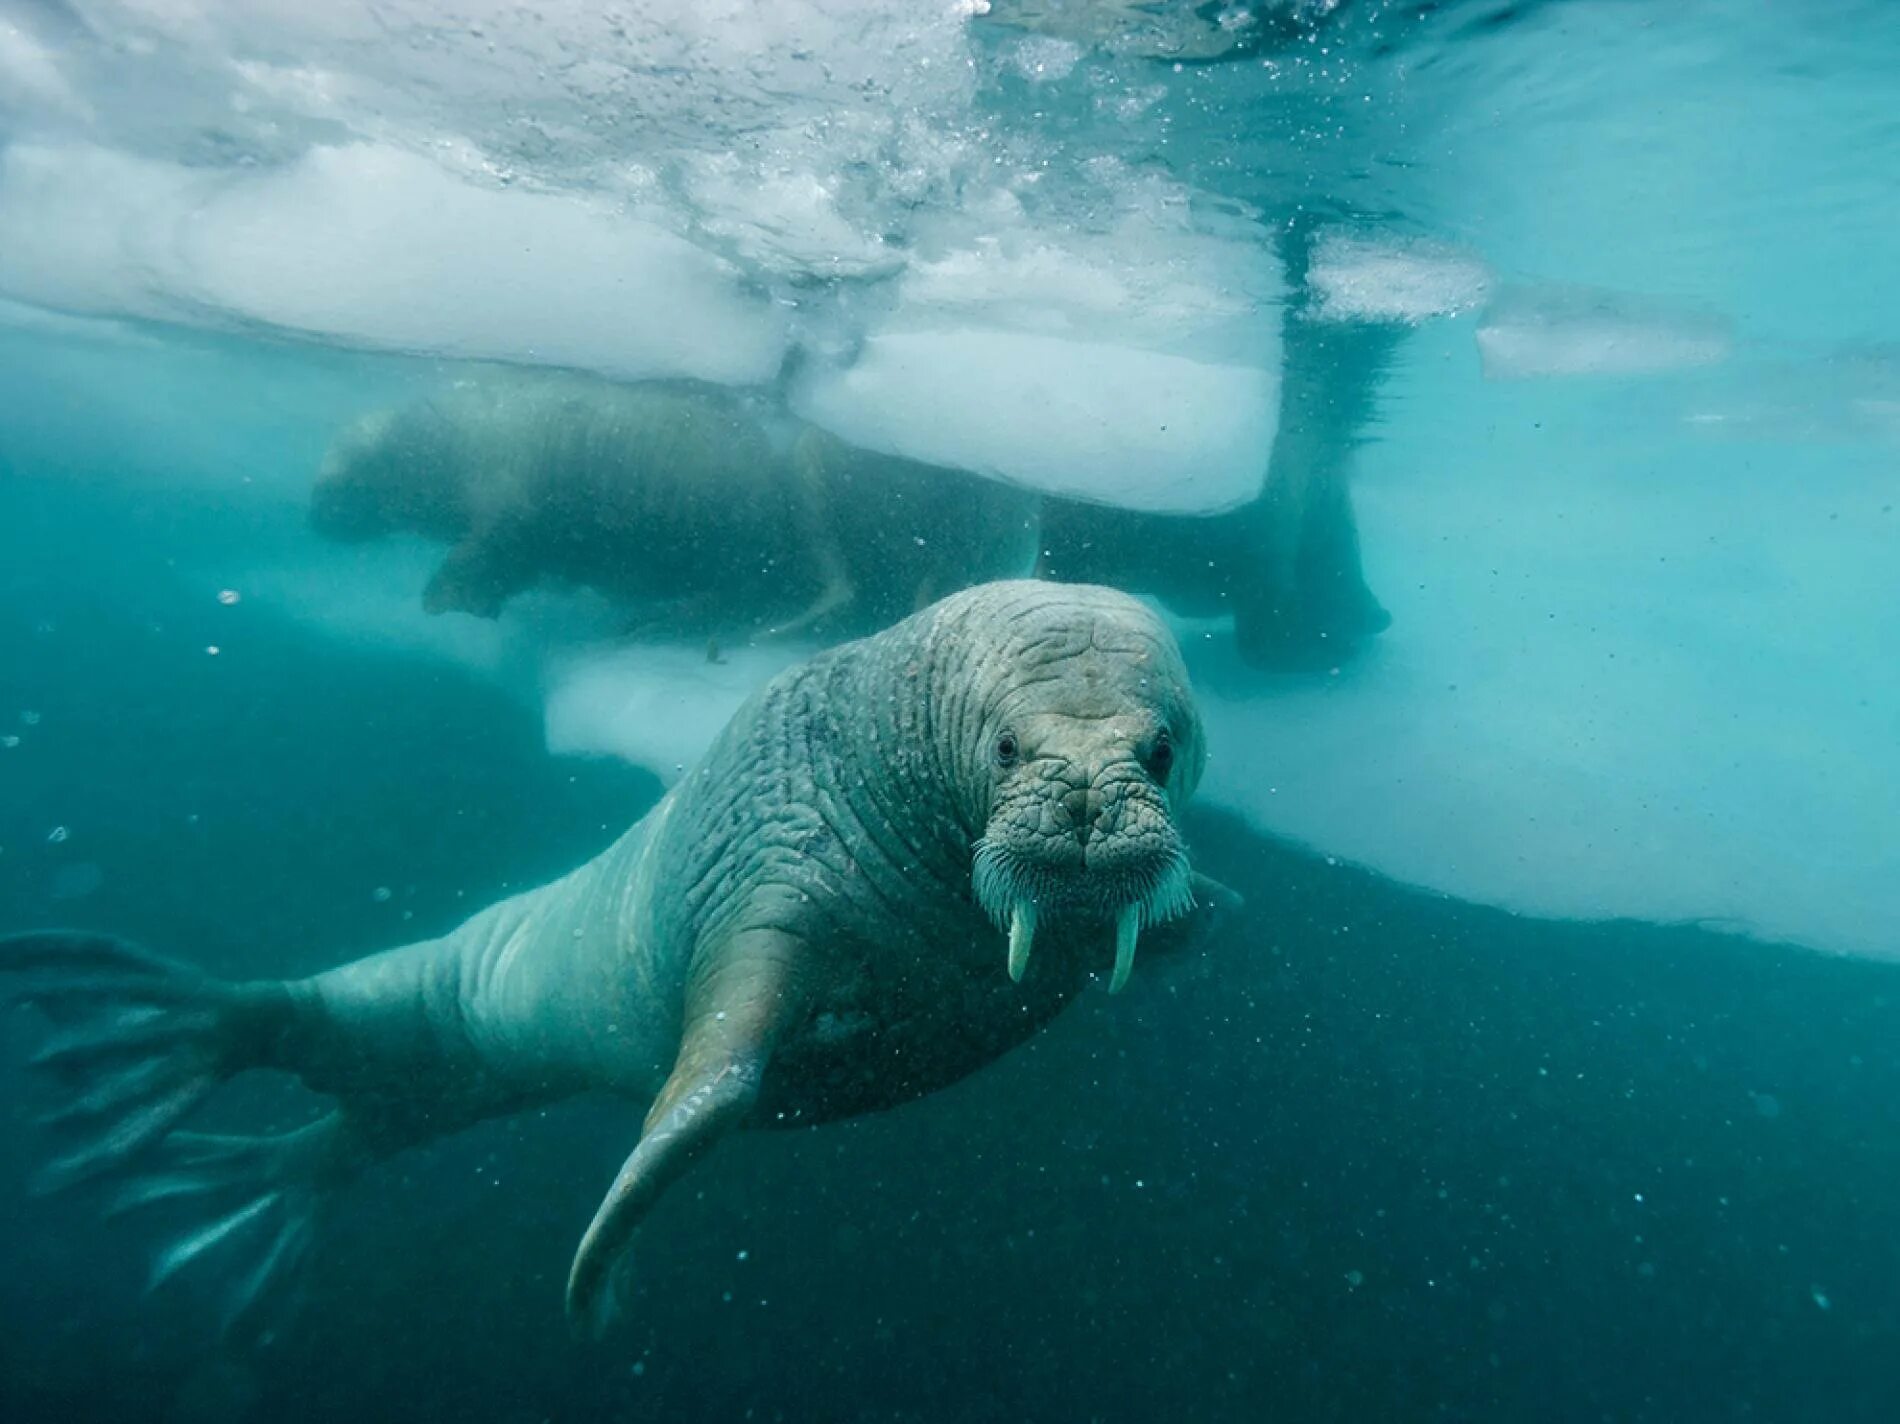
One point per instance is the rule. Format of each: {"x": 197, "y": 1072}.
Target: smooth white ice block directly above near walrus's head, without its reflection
{"x": 1086, "y": 419}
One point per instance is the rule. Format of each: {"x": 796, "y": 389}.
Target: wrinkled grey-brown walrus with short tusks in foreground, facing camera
{"x": 898, "y": 862}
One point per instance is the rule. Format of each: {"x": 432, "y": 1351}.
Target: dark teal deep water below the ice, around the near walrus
{"x": 1377, "y": 1155}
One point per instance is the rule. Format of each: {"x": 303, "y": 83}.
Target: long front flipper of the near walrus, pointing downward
{"x": 734, "y": 1014}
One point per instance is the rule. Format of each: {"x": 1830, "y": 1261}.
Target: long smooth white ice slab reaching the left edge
{"x": 383, "y": 250}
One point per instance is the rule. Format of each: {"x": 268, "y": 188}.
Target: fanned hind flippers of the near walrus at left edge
{"x": 138, "y": 1045}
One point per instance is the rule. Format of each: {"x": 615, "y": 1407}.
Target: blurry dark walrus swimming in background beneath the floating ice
{"x": 704, "y": 510}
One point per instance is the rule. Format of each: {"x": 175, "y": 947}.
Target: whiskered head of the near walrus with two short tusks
{"x": 1086, "y": 748}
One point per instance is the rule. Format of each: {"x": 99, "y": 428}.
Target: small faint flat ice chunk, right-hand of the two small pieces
{"x": 1580, "y": 332}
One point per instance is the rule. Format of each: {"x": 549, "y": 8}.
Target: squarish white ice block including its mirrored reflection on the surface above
{"x": 1137, "y": 364}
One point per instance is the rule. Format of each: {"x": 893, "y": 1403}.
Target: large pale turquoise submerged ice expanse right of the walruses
{"x": 1627, "y": 676}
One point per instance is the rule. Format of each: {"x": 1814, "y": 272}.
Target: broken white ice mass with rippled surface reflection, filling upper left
{"x": 653, "y": 193}
